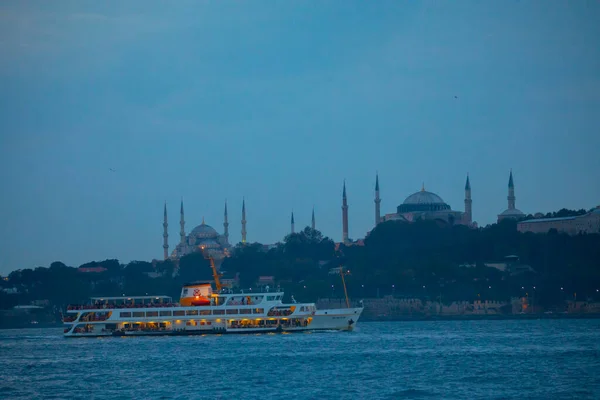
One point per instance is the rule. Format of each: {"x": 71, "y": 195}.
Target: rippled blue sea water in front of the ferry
{"x": 532, "y": 359}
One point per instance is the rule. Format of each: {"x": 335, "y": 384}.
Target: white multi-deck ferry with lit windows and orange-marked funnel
{"x": 203, "y": 311}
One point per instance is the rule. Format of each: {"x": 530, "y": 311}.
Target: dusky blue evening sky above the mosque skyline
{"x": 278, "y": 102}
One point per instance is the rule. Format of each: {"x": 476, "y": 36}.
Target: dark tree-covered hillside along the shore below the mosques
{"x": 418, "y": 260}
